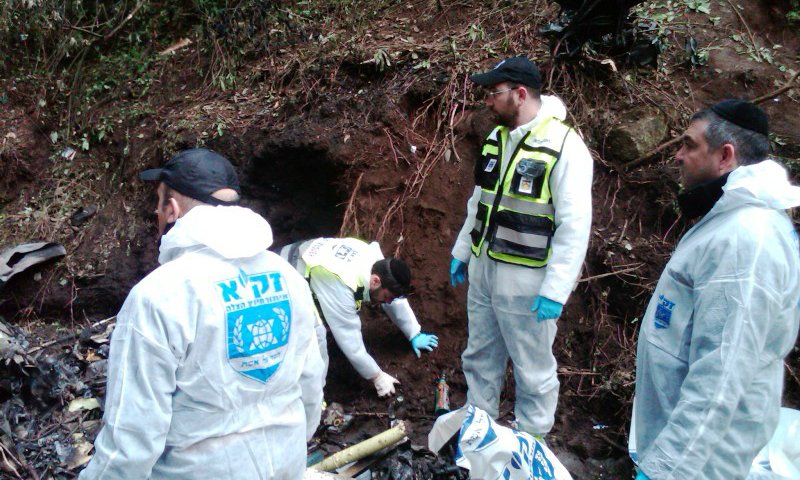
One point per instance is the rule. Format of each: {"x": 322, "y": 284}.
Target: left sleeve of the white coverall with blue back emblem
{"x": 135, "y": 424}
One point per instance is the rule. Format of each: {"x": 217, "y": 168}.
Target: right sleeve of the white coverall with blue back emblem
{"x": 312, "y": 380}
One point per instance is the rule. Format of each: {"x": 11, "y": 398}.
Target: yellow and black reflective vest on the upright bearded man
{"x": 515, "y": 213}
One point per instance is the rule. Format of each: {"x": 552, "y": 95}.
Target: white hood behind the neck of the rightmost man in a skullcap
{"x": 764, "y": 184}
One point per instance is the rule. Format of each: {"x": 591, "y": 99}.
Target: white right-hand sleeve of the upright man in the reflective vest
{"x": 571, "y": 186}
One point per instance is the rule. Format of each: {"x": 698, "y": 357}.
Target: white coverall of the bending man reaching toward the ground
{"x": 339, "y": 307}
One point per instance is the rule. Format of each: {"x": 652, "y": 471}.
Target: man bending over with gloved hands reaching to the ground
{"x": 342, "y": 273}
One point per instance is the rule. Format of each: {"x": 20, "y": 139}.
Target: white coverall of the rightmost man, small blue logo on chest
{"x": 709, "y": 367}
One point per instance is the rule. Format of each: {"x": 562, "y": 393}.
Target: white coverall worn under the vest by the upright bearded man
{"x": 500, "y": 295}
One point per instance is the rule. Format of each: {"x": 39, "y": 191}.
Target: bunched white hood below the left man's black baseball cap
{"x": 214, "y": 227}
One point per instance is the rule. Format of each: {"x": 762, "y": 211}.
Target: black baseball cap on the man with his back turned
{"x": 196, "y": 173}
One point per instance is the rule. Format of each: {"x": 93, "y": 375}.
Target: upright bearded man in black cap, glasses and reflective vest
{"x": 524, "y": 239}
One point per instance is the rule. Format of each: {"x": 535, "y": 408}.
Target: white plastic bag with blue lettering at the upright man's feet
{"x": 491, "y": 451}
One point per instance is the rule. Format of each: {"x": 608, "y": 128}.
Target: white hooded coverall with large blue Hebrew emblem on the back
{"x": 214, "y": 369}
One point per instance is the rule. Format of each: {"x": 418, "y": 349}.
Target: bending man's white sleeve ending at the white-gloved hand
{"x": 339, "y": 309}
